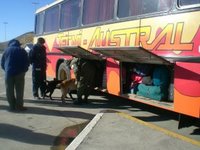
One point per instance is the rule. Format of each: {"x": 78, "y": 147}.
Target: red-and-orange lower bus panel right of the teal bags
{"x": 187, "y": 88}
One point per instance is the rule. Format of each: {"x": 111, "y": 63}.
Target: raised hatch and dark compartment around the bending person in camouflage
{"x": 96, "y": 59}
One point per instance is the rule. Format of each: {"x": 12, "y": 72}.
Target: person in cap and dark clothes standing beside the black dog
{"x": 37, "y": 56}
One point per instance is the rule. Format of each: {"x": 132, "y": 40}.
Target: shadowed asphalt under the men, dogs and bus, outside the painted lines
{"x": 49, "y": 124}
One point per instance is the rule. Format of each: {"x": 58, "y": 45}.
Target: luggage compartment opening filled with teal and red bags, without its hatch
{"x": 151, "y": 83}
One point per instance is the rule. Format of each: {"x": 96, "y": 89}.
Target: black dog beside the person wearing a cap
{"x": 51, "y": 86}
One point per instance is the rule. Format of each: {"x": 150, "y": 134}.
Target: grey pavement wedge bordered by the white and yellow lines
{"x": 119, "y": 131}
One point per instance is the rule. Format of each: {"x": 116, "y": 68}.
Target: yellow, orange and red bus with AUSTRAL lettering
{"x": 145, "y": 50}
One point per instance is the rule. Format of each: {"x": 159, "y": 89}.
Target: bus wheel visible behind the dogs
{"x": 63, "y": 72}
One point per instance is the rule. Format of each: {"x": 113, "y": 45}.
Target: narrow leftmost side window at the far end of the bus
{"x": 39, "y": 20}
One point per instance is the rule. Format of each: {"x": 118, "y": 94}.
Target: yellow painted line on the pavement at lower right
{"x": 155, "y": 127}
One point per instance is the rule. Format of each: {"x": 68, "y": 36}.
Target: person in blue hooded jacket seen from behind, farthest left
{"x": 15, "y": 63}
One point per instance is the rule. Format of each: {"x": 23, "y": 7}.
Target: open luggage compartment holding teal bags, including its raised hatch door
{"x": 138, "y": 64}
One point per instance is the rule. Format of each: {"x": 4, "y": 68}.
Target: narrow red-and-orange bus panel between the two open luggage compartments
{"x": 113, "y": 76}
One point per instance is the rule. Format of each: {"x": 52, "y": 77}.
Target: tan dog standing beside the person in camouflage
{"x": 67, "y": 86}
